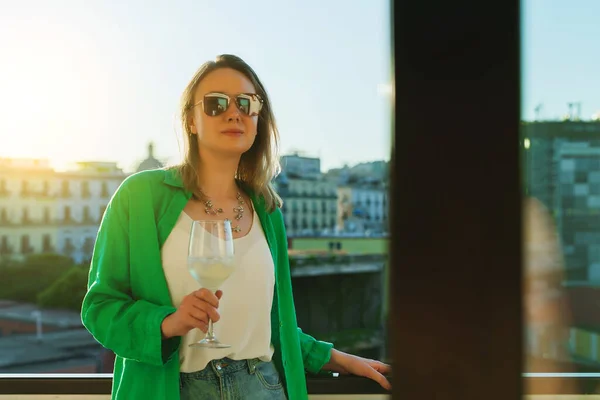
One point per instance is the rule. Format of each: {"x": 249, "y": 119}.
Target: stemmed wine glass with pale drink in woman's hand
{"x": 210, "y": 262}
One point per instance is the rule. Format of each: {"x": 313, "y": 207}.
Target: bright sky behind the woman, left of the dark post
{"x": 98, "y": 80}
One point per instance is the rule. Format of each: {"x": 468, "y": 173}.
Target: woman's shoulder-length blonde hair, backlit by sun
{"x": 260, "y": 164}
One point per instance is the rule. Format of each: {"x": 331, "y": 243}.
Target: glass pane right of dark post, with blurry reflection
{"x": 560, "y": 152}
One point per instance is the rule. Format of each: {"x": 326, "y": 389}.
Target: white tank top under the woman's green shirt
{"x": 245, "y": 307}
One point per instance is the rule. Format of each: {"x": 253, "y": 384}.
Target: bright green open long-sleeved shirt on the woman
{"x": 128, "y": 297}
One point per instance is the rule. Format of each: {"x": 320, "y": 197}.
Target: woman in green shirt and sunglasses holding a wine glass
{"x": 143, "y": 305}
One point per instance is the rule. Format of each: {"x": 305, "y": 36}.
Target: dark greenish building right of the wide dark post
{"x": 562, "y": 170}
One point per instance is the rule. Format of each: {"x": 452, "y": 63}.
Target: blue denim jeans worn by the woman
{"x": 228, "y": 379}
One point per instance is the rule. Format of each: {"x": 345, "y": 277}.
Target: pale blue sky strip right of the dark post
{"x": 560, "y": 57}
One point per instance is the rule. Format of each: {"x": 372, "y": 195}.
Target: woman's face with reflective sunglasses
{"x": 225, "y": 129}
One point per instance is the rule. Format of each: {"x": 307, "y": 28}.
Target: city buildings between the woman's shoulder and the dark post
{"x": 350, "y": 201}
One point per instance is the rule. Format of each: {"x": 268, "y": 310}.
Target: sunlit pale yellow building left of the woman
{"x": 46, "y": 211}
